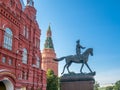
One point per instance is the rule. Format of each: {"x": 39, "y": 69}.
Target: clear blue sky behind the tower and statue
{"x": 95, "y": 22}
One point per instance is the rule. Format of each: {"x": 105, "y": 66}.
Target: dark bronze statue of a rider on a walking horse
{"x": 78, "y": 58}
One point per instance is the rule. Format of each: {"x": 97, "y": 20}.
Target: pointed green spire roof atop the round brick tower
{"x": 48, "y": 42}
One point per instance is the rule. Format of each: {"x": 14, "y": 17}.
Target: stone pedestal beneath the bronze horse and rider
{"x": 77, "y": 82}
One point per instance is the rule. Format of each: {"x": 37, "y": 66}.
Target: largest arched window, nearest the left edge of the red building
{"x": 8, "y": 39}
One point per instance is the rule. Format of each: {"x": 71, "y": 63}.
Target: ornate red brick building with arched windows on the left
{"x": 20, "y": 56}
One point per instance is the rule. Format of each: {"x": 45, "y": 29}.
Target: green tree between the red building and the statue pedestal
{"x": 52, "y": 80}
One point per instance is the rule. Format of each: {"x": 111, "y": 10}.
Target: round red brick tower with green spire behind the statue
{"x": 49, "y": 53}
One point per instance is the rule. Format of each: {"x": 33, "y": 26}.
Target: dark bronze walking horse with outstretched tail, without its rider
{"x": 82, "y": 58}
